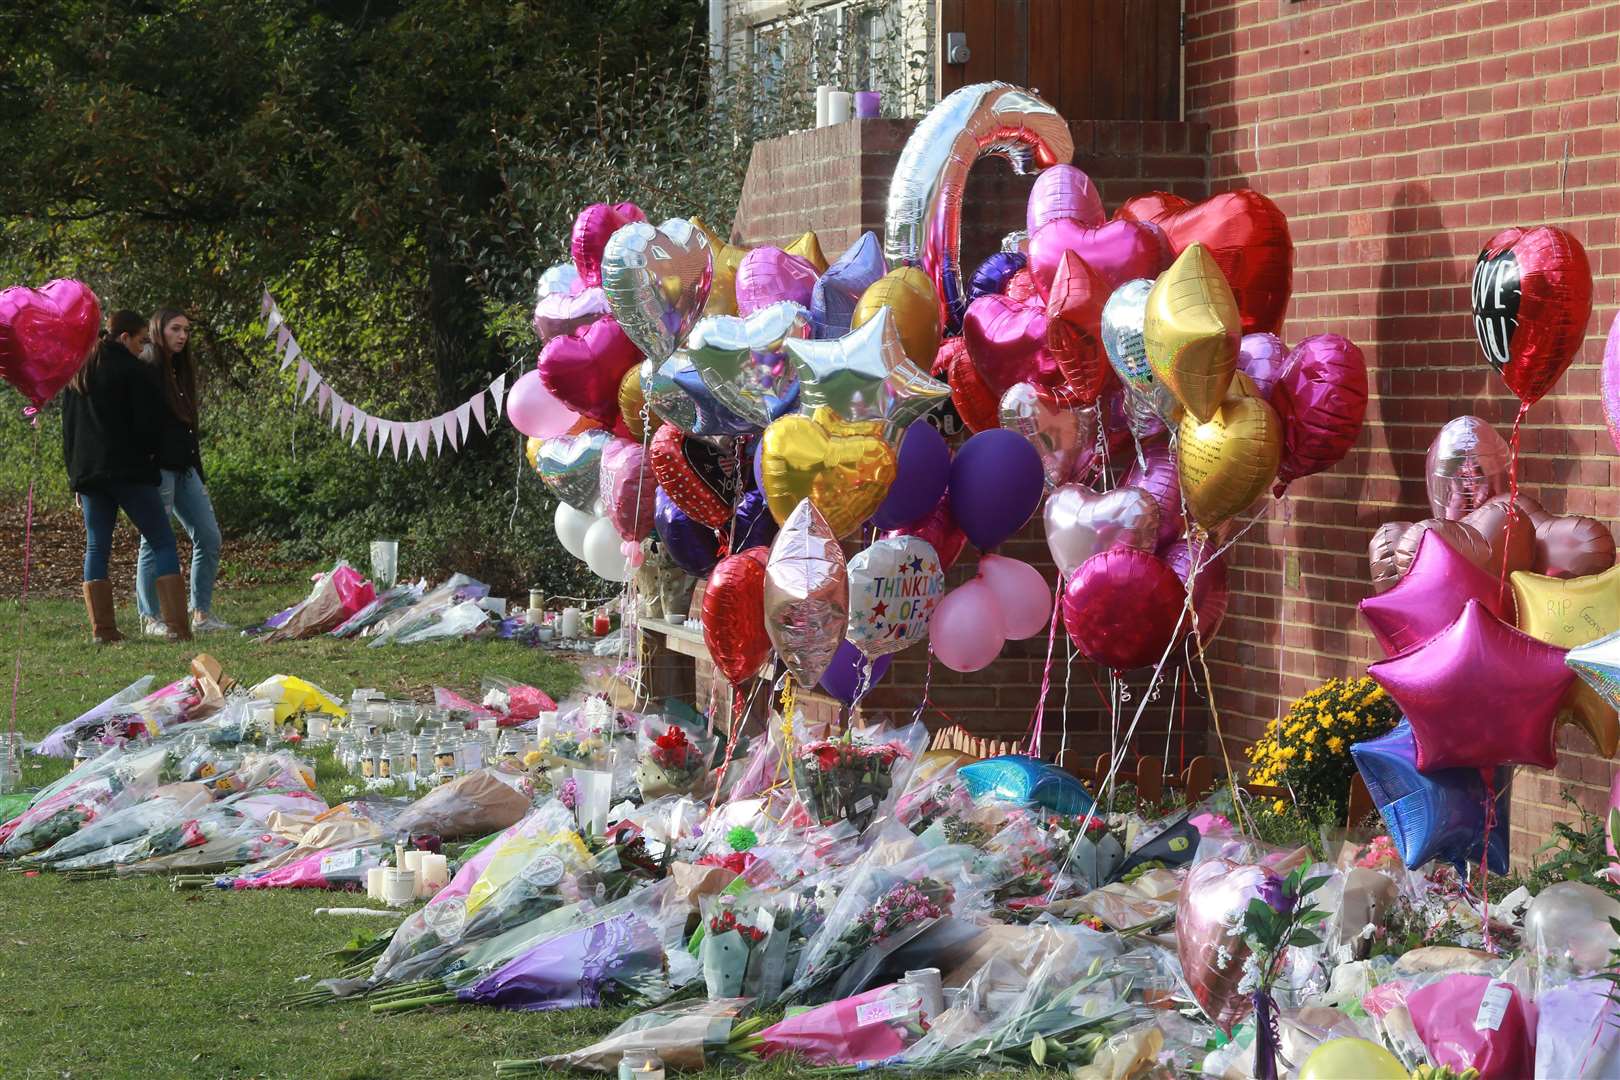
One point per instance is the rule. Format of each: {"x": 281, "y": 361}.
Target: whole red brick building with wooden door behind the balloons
{"x": 1397, "y": 135}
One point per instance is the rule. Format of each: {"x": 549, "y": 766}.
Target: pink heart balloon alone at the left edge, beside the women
{"x": 46, "y": 334}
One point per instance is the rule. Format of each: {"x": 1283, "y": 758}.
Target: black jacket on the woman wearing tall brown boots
{"x": 111, "y": 435}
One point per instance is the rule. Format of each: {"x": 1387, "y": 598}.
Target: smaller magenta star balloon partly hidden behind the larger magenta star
{"x": 1430, "y": 598}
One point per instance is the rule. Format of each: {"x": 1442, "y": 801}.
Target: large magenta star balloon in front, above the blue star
{"x": 1480, "y": 694}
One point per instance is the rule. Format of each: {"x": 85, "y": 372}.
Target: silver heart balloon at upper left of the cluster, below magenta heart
{"x": 657, "y": 283}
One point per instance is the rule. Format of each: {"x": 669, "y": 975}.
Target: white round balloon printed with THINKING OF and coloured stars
{"x": 893, "y": 589}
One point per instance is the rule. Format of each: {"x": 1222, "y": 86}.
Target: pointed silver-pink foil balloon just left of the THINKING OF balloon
{"x": 806, "y": 593}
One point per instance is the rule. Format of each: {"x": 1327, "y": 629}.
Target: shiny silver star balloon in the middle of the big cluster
{"x": 866, "y": 376}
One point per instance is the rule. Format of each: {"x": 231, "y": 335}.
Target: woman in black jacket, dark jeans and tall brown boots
{"x": 111, "y": 422}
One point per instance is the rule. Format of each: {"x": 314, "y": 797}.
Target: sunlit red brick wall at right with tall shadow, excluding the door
{"x": 1399, "y": 137}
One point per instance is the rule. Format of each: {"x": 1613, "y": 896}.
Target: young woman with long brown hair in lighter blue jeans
{"x": 182, "y": 485}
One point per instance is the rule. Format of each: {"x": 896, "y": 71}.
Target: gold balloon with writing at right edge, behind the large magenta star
{"x": 1571, "y": 613}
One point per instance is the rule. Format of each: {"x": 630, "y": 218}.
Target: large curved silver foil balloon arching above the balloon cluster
{"x": 924, "y": 221}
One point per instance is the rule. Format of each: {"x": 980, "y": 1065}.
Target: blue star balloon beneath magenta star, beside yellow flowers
{"x": 1435, "y": 815}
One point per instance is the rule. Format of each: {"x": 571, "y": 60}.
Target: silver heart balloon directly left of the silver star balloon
{"x": 736, "y": 355}
